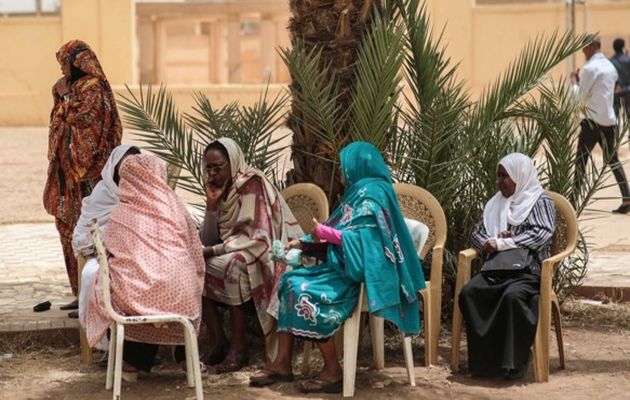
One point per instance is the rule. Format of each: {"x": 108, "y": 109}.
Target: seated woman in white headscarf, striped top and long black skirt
{"x": 501, "y": 312}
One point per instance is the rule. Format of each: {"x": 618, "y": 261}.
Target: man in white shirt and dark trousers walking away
{"x": 595, "y": 86}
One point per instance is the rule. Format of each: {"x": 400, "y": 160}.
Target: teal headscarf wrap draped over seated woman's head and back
{"x": 378, "y": 251}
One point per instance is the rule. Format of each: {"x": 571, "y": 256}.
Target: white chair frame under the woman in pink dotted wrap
{"x": 117, "y": 330}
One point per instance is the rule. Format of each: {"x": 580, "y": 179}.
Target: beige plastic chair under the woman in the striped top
{"x": 563, "y": 244}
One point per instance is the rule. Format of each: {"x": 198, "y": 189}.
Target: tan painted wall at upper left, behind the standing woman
{"x": 28, "y": 67}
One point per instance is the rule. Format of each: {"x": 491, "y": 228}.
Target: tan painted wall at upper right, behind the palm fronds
{"x": 487, "y": 38}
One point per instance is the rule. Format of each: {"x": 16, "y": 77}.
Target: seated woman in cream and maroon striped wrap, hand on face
{"x": 245, "y": 213}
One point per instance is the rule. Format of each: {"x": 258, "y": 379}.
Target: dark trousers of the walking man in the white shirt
{"x": 591, "y": 134}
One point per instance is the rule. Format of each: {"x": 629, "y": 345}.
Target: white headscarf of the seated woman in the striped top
{"x": 501, "y": 211}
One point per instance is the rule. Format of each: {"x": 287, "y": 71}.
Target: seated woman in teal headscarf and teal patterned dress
{"x": 367, "y": 242}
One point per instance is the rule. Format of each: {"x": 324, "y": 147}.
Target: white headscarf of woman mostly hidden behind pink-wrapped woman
{"x": 100, "y": 202}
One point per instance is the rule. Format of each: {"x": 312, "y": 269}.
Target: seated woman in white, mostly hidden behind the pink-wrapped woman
{"x": 98, "y": 205}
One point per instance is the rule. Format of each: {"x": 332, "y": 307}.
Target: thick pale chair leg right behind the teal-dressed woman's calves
{"x": 350, "y": 347}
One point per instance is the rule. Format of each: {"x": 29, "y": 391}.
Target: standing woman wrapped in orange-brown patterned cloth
{"x": 84, "y": 129}
